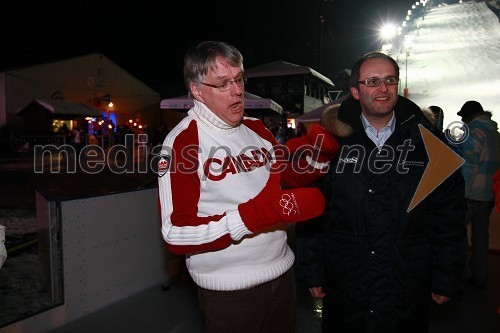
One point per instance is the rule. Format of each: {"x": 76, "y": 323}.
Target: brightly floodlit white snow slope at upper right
{"x": 455, "y": 57}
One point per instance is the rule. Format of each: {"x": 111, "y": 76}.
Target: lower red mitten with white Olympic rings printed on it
{"x": 273, "y": 205}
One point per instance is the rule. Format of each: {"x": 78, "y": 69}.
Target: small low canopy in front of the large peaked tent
{"x": 59, "y": 109}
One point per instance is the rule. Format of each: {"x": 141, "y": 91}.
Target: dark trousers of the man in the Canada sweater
{"x": 269, "y": 307}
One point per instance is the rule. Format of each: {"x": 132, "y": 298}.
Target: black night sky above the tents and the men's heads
{"x": 149, "y": 38}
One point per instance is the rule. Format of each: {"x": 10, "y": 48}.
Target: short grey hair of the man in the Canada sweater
{"x": 200, "y": 58}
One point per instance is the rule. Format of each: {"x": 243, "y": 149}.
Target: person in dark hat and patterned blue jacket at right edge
{"x": 481, "y": 152}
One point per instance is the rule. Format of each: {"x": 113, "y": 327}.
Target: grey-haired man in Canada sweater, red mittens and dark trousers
{"x": 221, "y": 203}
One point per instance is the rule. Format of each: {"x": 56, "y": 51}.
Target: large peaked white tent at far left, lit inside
{"x": 88, "y": 79}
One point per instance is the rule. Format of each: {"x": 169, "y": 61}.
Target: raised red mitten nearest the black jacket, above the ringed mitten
{"x": 317, "y": 143}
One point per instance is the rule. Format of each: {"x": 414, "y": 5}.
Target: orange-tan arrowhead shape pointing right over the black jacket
{"x": 443, "y": 161}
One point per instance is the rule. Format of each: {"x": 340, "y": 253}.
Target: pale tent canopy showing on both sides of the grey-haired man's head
{"x": 252, "y": 102}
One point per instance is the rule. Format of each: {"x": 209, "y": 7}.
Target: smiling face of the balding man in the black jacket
{"x": 376, "y": 101}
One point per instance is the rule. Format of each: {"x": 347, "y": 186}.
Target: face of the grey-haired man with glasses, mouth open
{"x": 227, "y": 105}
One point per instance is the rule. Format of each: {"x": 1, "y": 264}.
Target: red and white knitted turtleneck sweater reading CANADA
{"x": 207, "y": 168}
